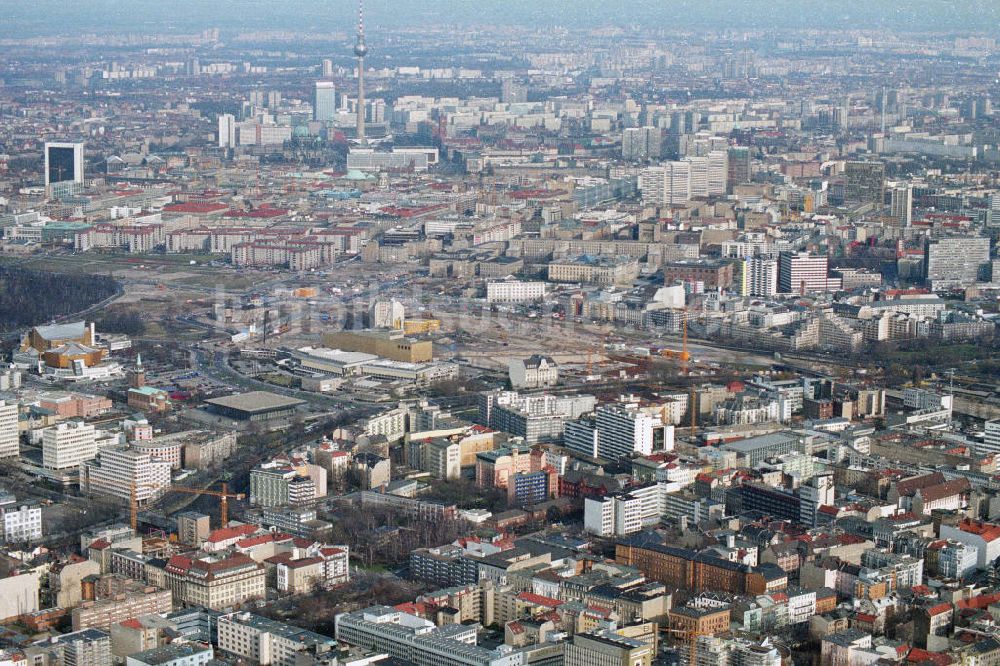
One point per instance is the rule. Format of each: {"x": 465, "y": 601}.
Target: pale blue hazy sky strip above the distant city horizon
{"x": 21, "y": 17}
